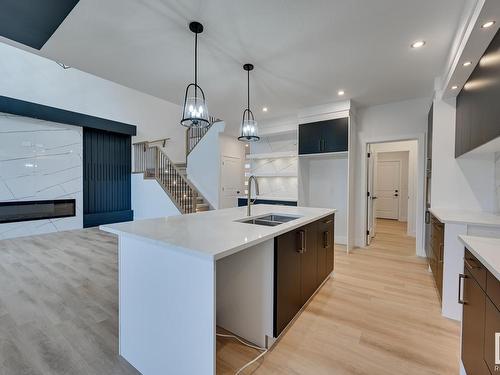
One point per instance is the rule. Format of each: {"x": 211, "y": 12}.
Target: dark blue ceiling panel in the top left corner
{"x": 32, "y": 22}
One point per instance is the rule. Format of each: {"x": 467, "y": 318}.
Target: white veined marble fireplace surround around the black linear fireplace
{"x": 40, "y": 160}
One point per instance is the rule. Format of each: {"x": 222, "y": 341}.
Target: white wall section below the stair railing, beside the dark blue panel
{"x": 149, "y": 200}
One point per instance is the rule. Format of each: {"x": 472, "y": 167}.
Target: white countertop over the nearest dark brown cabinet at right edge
{"x": 486, "y": 250}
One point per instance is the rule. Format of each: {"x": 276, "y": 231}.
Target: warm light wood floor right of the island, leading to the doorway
{"x": 379, "y": 315}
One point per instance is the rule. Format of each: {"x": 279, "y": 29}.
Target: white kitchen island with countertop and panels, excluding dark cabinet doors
{"x": 181, "y": 276}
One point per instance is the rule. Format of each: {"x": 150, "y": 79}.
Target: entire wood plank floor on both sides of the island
{"x": 379, "y": 315}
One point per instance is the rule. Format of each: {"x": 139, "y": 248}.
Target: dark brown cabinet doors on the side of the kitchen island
{"x": 303, "y": 259}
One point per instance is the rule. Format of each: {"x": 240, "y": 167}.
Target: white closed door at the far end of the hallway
{"x": 387, "y": 189}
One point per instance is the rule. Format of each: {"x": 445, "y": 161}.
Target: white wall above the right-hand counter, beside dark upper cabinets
{"x": 466, "y": 183}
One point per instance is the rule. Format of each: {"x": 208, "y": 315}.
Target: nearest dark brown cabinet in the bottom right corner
{"x": 481, "y": 318}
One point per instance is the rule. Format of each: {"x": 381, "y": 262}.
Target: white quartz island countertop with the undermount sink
{"x": 216, "y": 234}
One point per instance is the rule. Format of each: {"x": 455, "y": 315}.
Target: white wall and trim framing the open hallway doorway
{"x": 404, "y": 120}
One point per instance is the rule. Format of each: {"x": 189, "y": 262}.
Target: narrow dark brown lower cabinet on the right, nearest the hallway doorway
{"x": 436, "y": 253}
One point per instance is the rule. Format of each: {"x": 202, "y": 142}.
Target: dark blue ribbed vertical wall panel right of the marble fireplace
{"x": 107, "y": 166}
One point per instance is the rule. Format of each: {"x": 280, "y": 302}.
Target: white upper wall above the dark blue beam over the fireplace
{"x": 35, "y": 79}
